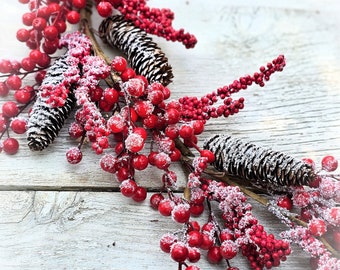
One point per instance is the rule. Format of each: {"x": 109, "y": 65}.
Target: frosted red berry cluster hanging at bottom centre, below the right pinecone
{"x": 240, "y": 233}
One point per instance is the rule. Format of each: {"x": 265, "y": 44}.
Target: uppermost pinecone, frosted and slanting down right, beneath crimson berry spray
{"x": 144, "y": 55}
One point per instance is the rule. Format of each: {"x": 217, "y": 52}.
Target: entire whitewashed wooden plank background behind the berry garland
{"x": 58, "y": 216}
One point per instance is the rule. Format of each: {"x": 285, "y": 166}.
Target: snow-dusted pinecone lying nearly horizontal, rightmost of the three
{"x": 257, "y": 164}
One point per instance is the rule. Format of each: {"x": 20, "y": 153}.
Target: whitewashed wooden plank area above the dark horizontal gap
{"x": 297, "y": 112}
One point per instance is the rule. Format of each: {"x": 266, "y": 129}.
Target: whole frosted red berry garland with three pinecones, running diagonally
{"x": 135, "y": 104}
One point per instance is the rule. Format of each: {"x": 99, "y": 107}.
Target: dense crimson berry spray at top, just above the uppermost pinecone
{"x": 152, "y": 20}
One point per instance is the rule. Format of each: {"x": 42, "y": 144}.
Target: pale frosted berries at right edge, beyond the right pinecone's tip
{"x": 318, "y": 208}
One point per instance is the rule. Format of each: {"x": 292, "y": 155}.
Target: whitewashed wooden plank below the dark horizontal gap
{"x": 88, "y": 230}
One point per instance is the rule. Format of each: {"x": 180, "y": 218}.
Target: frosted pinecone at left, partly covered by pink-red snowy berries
{"x": 45, "y": 120}
